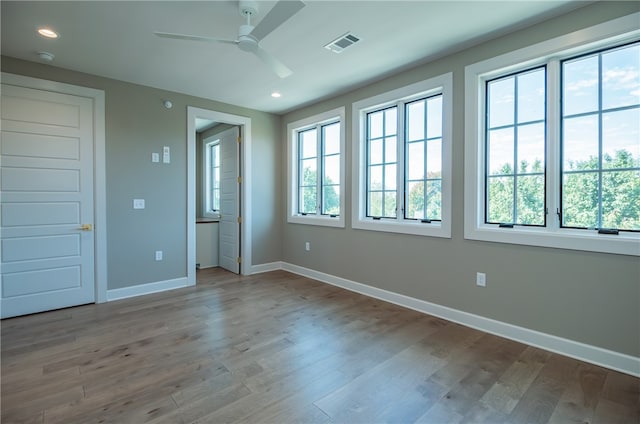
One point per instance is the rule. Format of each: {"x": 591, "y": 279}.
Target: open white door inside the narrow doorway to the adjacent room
{"x": 229, "y": 200}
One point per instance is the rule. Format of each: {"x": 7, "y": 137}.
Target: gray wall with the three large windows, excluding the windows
{"x": 588, "y": 297}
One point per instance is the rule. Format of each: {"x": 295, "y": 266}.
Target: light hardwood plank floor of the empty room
{"x": 279, "y": 348}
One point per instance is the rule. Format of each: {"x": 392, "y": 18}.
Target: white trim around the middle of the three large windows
{"x": 440, "y": 84}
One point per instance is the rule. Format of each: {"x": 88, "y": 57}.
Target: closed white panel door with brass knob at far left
{"x": 47, "y": 240}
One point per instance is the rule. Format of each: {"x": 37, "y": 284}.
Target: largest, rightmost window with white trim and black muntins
{"x": 552, "y": 144}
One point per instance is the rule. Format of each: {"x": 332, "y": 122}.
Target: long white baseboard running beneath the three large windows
{"x": 577, "y": 350}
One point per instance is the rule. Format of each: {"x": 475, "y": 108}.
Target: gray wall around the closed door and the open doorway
{"x": 137, "y": 124}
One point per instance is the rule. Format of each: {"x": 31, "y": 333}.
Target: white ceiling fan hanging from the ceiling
{"x": 249, "y": 37}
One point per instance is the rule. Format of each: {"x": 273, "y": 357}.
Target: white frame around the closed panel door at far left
{"x": 99, "y": 168}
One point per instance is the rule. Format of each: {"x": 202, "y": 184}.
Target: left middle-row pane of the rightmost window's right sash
{"x": 580, "y": 143}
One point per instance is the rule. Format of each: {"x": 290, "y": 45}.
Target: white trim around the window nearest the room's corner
{"x": 335, "y": 115}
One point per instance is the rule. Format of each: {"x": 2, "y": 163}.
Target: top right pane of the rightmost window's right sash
{"x": 621, "y": 77}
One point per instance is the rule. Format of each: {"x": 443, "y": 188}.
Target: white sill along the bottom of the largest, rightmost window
{"x": 585, "y": 240}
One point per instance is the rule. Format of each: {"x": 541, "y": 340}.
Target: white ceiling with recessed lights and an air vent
{"x": 115, "y": 39}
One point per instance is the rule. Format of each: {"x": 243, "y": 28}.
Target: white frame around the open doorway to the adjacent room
{"x": 245, "y": 188}
